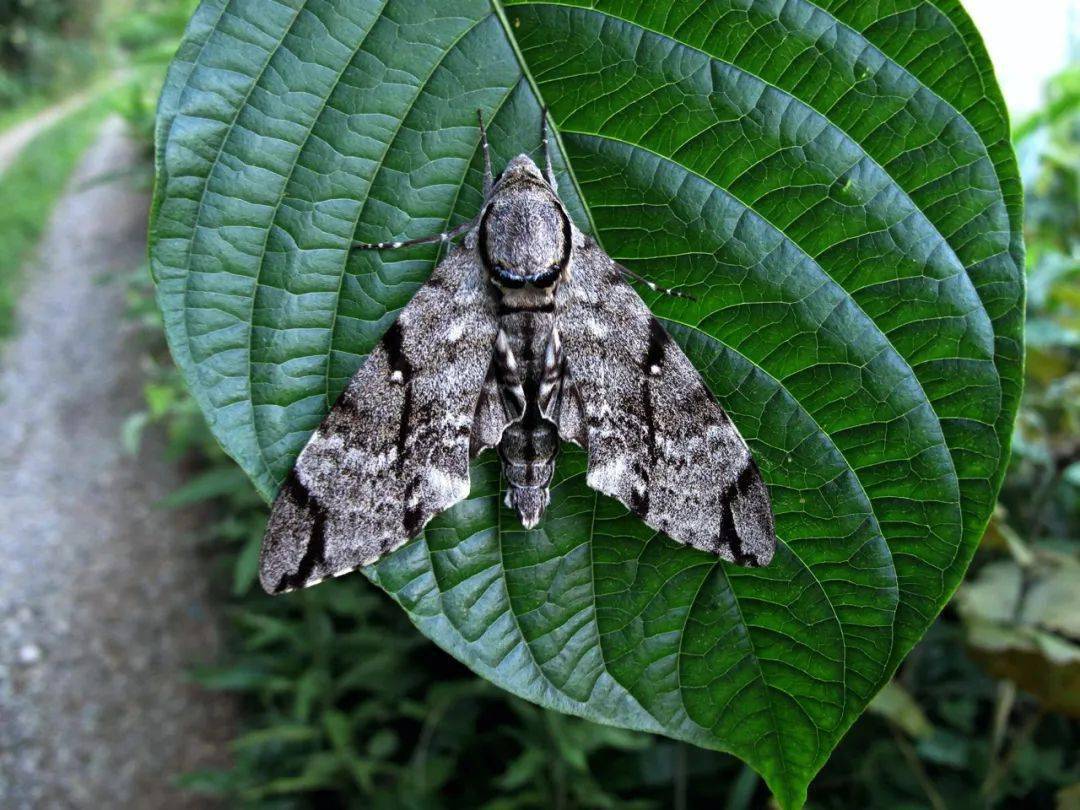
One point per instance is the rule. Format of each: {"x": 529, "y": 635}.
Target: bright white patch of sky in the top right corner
{"x": 1029, "y": 42}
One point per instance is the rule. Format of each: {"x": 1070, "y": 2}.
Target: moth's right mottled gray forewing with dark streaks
{"x": 656, "y": 438}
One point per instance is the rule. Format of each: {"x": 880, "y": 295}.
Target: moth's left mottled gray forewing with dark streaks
{"x": 395, "y": 450}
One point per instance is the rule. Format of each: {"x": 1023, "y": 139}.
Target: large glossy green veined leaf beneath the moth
{"x": 832, "y": 181}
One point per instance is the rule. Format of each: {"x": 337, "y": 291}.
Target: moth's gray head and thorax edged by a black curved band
{"x": 524, "y": 234}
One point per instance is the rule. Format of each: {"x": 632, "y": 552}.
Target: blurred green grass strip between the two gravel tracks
{"x": 29, "y": 193}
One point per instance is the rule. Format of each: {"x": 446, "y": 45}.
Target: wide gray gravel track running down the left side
{"x": 103, "y": 599}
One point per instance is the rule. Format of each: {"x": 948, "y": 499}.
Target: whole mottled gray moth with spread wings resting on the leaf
{"x": 526, "y": 335}
